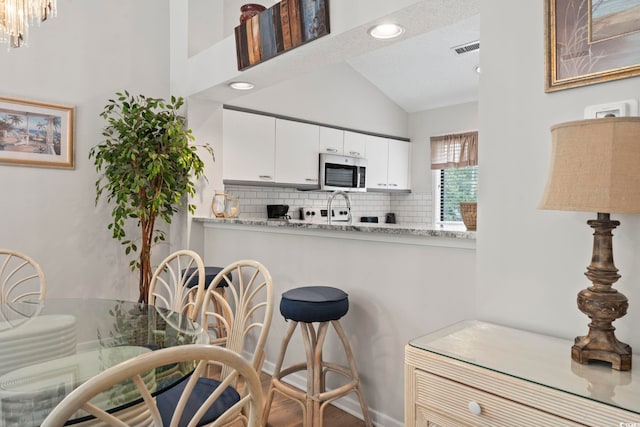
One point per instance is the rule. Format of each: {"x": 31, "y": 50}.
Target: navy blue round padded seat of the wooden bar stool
{"x": 314, "y": 304}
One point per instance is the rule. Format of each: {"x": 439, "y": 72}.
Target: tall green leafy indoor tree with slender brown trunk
{"x": 148, "y": 166}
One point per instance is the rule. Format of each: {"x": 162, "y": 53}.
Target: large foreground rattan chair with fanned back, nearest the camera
{"x": 196, "y": 400}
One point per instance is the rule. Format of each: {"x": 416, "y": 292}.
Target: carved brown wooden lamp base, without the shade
{"x": 602, "y": 303}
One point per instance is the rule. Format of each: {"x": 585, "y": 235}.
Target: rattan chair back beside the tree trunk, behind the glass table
{"x": 168, "y": 287}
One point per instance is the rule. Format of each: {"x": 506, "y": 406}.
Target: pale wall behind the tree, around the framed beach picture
{"x": 91, "y": 50}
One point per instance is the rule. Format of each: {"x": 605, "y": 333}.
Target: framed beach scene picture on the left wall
{"x": 36, "y": 134}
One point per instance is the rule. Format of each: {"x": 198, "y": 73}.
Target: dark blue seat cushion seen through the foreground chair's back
{"x": 168, "y": 400}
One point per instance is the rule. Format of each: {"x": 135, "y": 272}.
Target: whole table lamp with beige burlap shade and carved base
{"x": 595, "y": 167}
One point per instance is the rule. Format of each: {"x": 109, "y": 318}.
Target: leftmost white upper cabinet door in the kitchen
{"x": 248, "y": 147}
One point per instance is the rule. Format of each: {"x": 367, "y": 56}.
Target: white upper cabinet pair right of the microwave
{"x": 387, "y": 164}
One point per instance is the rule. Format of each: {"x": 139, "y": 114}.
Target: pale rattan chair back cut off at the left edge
{"x": 21, "y": 278}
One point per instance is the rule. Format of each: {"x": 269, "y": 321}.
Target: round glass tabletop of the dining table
{"x": 47, "y": 348}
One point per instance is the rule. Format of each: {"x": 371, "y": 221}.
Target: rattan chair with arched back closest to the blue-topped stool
{"x": 243, "y": 311}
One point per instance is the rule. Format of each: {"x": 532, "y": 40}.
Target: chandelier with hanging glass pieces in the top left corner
{"x": 16, "y": 15}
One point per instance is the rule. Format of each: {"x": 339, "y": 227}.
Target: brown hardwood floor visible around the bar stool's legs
{"x": 288, "y": 413}
